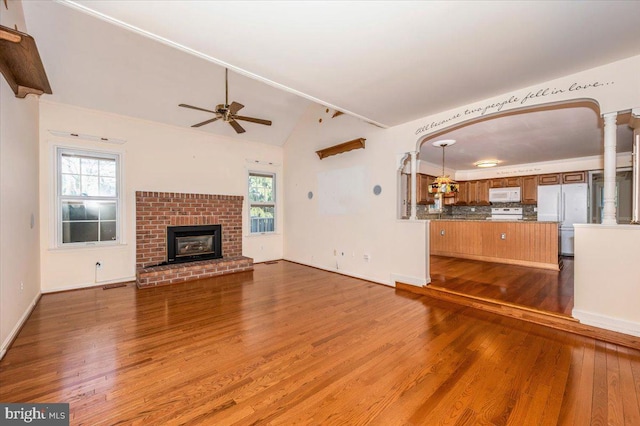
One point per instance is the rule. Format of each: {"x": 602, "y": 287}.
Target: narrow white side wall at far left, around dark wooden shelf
{"x": 19, "y": 255}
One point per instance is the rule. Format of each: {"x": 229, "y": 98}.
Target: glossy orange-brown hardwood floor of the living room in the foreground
{"x": 288, "y": 344}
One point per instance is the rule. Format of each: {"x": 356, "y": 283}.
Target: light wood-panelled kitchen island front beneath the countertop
{"x": 514, "y": 242}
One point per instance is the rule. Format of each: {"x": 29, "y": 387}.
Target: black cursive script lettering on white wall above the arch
{"x": 513, "y": 99}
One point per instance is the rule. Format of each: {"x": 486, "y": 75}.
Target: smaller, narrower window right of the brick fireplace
{"x": 262, "y": 202}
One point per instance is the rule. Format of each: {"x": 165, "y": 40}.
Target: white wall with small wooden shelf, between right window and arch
{"x": 344, "y": 216}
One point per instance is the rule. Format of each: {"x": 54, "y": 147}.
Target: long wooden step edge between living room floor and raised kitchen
{"x": 523, "y": 313}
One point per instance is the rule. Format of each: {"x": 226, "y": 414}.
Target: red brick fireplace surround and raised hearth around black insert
{"x": 156, "y": 211}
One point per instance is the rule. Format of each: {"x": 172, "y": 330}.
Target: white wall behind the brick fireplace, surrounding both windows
{"x": 156, "y": 157}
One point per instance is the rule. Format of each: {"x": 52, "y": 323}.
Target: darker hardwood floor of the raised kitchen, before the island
{"x": 540, "y": 289}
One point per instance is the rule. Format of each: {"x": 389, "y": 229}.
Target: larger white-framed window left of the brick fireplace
{"x": 88, "y": 197}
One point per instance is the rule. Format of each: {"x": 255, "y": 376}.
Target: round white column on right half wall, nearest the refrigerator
{"x": 609, "y": 196}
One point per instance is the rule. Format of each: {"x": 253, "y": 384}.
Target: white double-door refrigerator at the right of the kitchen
{"x": 567, "y": 205}
